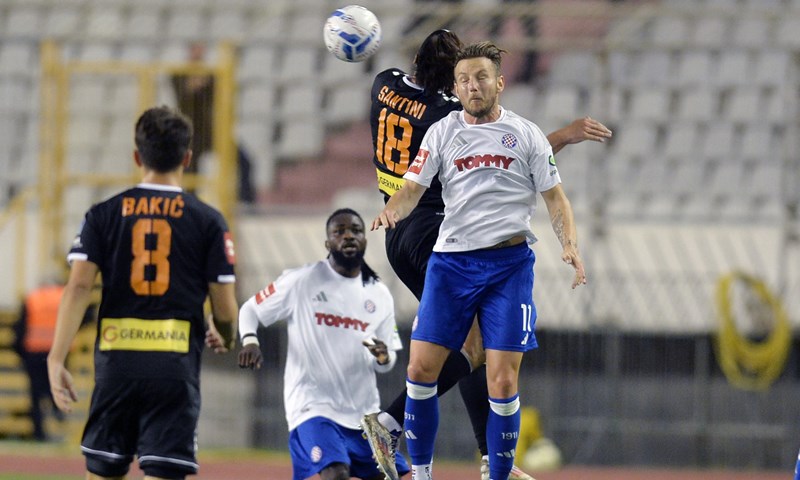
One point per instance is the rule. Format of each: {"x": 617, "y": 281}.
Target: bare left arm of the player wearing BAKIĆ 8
{"x": 74, "y": 302}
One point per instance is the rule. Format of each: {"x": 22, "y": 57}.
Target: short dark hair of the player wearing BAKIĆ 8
{"x": 163, "y": 136}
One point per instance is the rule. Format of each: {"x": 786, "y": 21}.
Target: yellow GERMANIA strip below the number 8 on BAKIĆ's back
{"x": 136, "y": 334}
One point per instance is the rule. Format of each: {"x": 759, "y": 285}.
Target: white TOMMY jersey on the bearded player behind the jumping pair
{"x": 329, "y": 373}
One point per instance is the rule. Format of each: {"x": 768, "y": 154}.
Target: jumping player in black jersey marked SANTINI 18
{"x": 403, "y": 108}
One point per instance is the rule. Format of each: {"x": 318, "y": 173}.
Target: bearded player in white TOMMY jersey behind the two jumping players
{"x": 334, "y": 308}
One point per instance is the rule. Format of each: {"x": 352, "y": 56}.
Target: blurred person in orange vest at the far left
{"x": 34, "y": 336}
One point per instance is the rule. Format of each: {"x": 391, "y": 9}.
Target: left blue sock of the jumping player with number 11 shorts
{"x": 421, "y": 421}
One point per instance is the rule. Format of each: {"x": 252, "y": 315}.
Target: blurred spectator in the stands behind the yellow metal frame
{"x": 195, "y": 97}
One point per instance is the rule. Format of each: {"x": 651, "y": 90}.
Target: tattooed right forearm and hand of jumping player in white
{"x": 563, "y": 222}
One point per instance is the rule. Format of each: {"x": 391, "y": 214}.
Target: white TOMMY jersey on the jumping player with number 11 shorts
{"x": 490, "y": 175}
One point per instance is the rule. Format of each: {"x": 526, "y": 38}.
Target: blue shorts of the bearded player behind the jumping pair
{"x": 318, "y": 442}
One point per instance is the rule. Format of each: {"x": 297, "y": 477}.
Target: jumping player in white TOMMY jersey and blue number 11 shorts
{"x": 491, "y": 164}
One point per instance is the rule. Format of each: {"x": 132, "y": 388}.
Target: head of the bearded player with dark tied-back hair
{"x": 346, "y": 242}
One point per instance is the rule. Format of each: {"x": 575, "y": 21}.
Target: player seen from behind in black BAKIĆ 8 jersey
{"x": 160, "y": 252}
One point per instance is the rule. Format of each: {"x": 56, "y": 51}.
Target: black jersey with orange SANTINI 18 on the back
{"x": 400, "y": 114}
